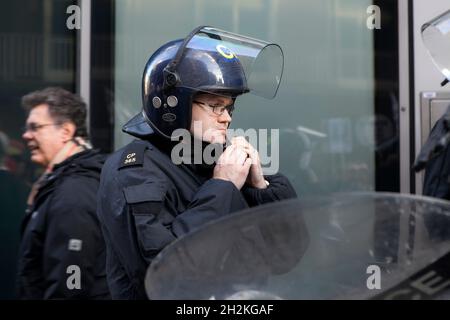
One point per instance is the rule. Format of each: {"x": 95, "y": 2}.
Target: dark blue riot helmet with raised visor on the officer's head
{"x": 208, "y": 61}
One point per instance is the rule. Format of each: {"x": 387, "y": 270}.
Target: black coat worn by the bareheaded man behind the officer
{"x": 61, "y": 230}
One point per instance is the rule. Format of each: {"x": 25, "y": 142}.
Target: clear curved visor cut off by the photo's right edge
{"x": 436, "y": 38}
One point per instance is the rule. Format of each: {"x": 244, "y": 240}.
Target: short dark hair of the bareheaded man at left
{"x": 63, "y": 106}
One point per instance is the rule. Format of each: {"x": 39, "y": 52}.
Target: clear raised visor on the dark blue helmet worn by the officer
{"x": 217, "y": 61}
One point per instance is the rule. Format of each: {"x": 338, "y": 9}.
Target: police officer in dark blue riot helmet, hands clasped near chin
{"x": 147, "y": 198}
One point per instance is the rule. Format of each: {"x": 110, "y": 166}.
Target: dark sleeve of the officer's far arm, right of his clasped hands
{"x": 279, "y": 188}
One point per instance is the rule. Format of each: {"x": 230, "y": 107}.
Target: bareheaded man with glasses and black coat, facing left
{"x": 62, "y": 254}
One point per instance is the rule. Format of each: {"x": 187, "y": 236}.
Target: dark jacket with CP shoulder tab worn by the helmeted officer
{"x": 146, "y": 202}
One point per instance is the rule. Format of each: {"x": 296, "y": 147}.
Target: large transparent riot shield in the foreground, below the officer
{"x": 343, "y": 246}
